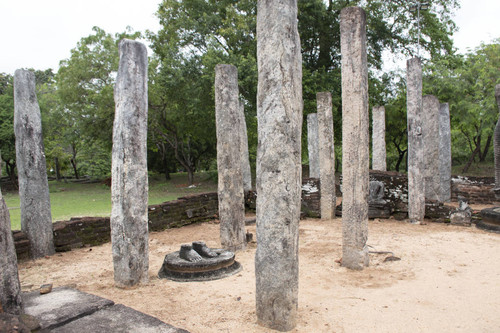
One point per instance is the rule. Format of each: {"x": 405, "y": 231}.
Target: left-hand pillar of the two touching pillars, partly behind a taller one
{"x": 430, "y": 134}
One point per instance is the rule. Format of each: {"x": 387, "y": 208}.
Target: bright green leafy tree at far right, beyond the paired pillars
{"x": 467, "y": 83}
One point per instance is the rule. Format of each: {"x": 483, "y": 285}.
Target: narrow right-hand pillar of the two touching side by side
{"x": 444, "y": 153}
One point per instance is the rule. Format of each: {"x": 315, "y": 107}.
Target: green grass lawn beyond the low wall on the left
{"x": 72, "y": 199}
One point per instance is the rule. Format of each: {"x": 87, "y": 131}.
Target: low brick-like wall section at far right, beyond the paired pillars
{"x": 476, "y": 190}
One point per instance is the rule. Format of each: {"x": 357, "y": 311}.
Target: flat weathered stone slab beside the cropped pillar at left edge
{"x": 62, "y": 305}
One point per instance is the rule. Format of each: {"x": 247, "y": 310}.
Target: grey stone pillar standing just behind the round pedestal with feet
{"x": 229, "y": 162}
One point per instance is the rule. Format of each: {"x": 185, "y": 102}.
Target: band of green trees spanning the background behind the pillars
{"x": 78, "y": 108}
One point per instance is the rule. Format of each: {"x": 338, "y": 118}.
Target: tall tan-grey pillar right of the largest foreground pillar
{"x": 355, "y": 138}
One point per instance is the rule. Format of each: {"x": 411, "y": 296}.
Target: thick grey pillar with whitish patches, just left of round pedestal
{"x": 129, "y": 187}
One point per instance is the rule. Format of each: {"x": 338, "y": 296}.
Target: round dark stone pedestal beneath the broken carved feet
{"x": 207, "y": 269}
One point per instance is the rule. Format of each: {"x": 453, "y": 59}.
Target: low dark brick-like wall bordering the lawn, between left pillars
{"x": 91, "y": 231}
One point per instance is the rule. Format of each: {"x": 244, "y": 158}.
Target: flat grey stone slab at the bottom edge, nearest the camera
{"x": 118, "y": 318}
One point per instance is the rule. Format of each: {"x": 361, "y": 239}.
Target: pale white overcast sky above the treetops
{"x": 38, "y": 34}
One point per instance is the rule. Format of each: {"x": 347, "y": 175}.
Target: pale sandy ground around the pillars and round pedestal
{"x": 448, "y": 280}
